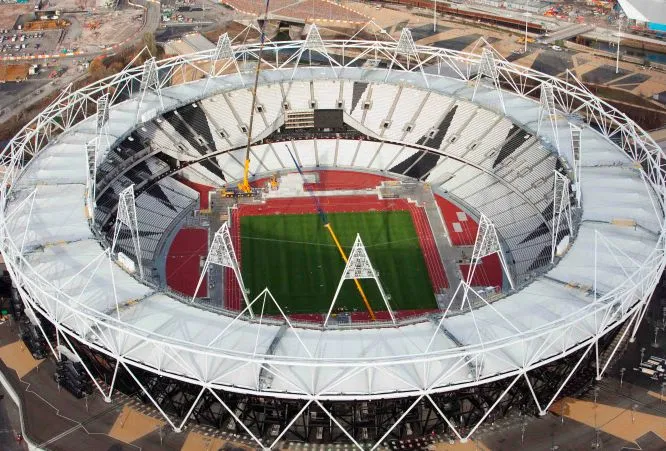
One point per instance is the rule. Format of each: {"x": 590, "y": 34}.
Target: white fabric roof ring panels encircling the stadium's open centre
{"x": 609, "y": 193}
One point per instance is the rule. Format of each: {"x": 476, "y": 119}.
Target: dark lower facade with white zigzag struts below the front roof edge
{"x": 454, "y": 414}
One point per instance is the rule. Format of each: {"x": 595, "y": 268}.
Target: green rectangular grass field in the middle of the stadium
{"x": 295, "y": 257}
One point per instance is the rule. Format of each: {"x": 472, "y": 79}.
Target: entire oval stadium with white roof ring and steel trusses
{"x": 412, "y": 241}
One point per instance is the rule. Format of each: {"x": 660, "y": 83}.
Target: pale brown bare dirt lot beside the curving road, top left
{"x": 113, "y": 28}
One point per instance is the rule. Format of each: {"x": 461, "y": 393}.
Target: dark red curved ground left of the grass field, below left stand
{"x": 183, "y": 259}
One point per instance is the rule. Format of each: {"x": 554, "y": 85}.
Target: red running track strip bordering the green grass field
{"x": 336, "y": 204}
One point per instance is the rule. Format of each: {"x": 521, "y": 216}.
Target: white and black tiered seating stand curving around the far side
{"x": 489, "y": 164}
